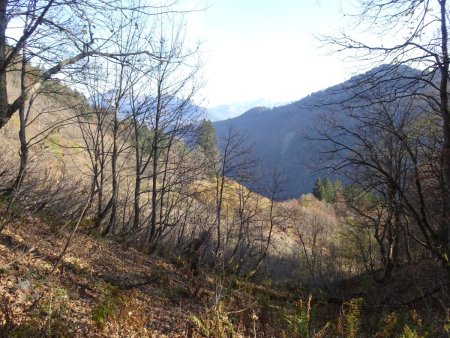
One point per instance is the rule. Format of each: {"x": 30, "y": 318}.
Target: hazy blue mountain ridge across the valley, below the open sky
{"x": 279, "y": 133}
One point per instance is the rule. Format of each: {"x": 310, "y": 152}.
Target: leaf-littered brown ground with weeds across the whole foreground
{"x": 105, "y": 289}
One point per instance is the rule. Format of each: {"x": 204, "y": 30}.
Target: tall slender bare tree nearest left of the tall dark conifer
{"x": 171, "y": 117}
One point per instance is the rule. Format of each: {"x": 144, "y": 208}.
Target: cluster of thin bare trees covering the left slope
{"x": 114, "y": 145}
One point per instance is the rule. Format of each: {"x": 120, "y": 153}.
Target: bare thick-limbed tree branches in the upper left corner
{"x": 63, "y": 36}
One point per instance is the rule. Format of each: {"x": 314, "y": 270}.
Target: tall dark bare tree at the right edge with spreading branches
{"x": 409, "y": 34}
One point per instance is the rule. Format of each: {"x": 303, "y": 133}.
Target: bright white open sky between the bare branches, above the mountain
{"x": 266, "y": 48}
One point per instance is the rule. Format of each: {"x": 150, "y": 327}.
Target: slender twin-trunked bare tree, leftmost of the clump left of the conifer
{"x": 106, "y": 136}
